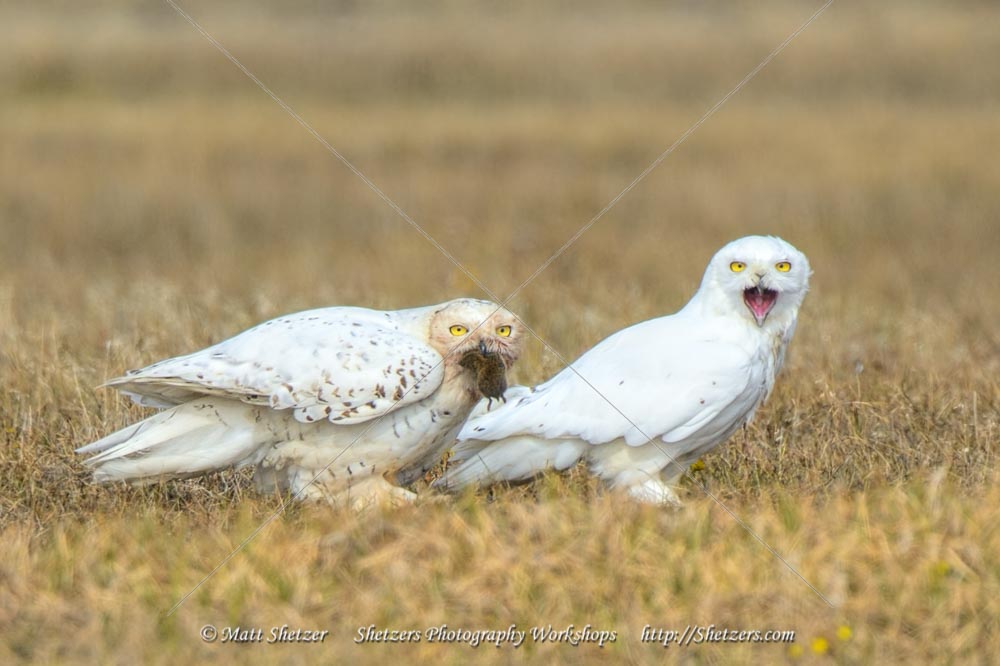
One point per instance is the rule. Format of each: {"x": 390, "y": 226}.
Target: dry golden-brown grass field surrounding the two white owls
{"x": 153, "y": 200}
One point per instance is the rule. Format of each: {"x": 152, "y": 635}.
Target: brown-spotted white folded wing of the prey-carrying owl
{"x": 347, "y": 365}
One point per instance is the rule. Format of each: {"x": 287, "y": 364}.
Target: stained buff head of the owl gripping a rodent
{"x": 464, "y": 324}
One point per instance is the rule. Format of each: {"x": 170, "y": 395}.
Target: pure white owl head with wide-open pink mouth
{"x": 759, "y": 279}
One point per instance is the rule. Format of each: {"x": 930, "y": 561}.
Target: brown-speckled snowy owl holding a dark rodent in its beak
{"x": 333, "y": 403}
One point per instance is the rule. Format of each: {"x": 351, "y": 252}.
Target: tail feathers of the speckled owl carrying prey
{"x": 188, "y": 440}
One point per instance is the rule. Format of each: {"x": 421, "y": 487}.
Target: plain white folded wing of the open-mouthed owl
{"x": 668, "y": 380}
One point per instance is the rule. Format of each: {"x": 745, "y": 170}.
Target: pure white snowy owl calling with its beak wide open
{"x": 684, "y": 384}
